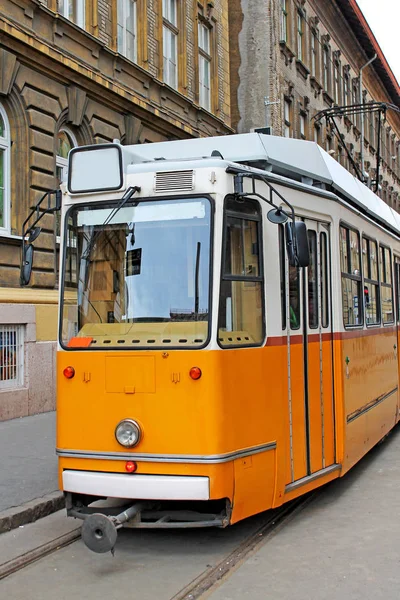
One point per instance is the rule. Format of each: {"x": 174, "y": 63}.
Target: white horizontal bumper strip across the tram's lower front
{"x": 136, "y": 487}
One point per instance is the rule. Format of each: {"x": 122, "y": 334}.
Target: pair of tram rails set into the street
{"x": 208, "y": 579}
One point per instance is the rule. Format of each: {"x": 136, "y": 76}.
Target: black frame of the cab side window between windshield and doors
{"x": 241, "y": 278}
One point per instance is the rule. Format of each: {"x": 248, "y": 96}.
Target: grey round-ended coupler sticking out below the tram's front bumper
{"x": 99, "y": 532}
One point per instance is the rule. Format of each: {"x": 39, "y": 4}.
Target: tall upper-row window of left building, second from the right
{"x": 170, "y": 42}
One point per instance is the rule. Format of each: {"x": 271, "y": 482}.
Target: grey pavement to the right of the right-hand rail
{"x": 345, "y": 545}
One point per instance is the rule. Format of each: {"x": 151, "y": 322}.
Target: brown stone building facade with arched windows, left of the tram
{"x": 75, "y": 72}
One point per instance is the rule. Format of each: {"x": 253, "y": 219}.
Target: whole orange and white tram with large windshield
{"x": 228, "y": 338}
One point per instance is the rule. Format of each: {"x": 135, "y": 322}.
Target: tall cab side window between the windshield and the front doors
{"x": 240, "y": 320}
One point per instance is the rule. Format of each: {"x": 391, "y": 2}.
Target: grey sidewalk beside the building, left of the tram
{"x": 28, "y": 468}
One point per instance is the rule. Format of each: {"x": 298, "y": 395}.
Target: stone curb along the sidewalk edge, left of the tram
{"x": 31, "y": 511}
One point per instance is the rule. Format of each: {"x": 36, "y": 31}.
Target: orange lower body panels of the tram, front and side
{"x": 241, "y": 401}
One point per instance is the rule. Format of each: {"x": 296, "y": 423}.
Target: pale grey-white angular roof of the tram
{"x": 296, "y": 159}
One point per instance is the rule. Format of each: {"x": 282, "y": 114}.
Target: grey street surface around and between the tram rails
{"x": 343, "y": 545}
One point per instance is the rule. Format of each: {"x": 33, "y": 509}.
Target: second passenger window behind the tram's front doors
{"x": 371, "y": 283}
